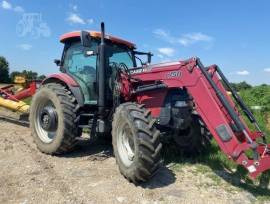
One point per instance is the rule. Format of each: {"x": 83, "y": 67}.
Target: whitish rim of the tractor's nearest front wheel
{"x": 125, "y": 144}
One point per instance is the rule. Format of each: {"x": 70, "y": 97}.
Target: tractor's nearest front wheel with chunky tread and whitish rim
{"x": 136, "y": 142}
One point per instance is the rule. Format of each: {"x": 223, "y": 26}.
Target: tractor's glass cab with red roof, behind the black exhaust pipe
{"x": 81, "y": 60}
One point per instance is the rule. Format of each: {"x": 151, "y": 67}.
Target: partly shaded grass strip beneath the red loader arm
{"x": 214, "y": 164}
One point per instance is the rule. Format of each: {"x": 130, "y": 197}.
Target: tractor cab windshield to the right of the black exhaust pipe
{"x": 121, "y": 55}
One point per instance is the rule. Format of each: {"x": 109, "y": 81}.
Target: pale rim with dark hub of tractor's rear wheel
{"x": 44, "y": 112}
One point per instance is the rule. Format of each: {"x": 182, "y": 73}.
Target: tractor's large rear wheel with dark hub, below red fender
{"x": 60, "y": 105}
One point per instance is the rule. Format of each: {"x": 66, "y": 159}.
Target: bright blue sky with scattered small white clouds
{"x": 234, "y": 34}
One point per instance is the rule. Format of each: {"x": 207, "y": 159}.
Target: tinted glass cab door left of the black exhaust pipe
{"x": 82, "y": 66}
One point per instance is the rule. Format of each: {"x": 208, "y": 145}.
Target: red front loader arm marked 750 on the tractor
{"x": 216, "y": 108}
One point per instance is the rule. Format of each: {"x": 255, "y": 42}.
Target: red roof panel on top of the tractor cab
{"x": 95, "y": 34}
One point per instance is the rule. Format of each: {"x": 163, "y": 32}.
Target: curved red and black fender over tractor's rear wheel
{"x": 68, "y": 81}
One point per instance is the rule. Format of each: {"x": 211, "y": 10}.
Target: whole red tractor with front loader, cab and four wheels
{"x": 102, "y": 88}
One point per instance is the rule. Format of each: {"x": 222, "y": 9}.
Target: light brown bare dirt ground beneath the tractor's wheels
{"x": 90, "y": 175}
